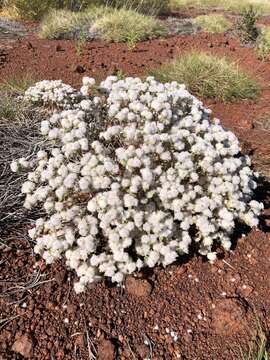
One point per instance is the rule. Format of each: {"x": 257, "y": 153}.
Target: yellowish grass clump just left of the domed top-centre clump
{"x": 58, "y": 22}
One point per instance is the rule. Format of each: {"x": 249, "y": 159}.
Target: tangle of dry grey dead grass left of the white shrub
{"x": 19, "y": 128}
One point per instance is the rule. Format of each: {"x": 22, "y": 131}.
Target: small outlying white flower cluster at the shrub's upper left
{"x": 55, "y": 92}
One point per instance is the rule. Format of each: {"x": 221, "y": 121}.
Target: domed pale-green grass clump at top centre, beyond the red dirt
{"x": 128, "y": 26}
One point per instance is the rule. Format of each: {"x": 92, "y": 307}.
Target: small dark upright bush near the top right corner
{"x": 247, "y": 29}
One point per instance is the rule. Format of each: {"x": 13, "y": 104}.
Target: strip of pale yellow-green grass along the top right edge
{"x": 262, "y": 6}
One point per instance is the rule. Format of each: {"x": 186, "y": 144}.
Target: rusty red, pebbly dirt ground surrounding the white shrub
{"x": 211, "y": 309}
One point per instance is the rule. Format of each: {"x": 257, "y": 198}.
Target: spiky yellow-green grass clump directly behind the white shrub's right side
{"x": 208, "y": 76}
